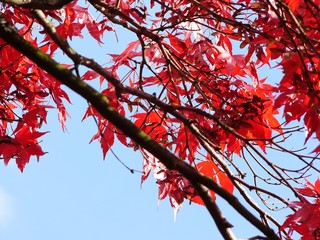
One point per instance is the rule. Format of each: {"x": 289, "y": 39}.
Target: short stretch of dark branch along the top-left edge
{"x": 38, "y": 4}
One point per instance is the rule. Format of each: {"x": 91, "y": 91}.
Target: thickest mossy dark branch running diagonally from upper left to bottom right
{"x": 101, "y": 104}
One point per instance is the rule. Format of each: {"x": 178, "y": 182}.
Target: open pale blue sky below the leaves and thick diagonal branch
{"x": 73, "y": 194}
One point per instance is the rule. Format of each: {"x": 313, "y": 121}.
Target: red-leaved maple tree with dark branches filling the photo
{"x": 187, "y": 92}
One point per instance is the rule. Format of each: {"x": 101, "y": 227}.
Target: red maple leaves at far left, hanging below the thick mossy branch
{"x": 23, "y": 111}
